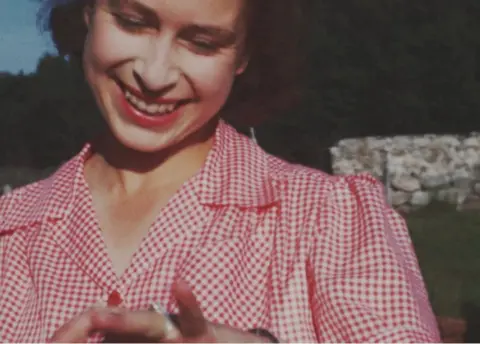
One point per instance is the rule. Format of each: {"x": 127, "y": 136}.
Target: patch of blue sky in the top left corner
{"x": 21, "y": 44}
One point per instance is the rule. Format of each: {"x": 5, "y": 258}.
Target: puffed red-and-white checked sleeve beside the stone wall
{"x": 367, "y": 285}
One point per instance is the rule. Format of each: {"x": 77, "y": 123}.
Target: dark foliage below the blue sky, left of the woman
{"x": 47, "y": 115}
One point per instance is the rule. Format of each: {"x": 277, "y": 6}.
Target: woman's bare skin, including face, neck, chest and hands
{"x": 181, "y": 55}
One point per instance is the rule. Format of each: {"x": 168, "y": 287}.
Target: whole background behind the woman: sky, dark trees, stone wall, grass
{"x": 392, "y": 88}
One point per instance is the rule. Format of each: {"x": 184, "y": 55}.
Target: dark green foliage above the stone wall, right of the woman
{"x": 385, "y": 67}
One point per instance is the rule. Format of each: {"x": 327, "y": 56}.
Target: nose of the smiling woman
{"x": 154, "y": 68}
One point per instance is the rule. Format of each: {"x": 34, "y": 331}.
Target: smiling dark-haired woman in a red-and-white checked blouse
{"x": 173, "y": 208}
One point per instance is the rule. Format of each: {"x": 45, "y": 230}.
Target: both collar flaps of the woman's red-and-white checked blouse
{"x": 235, "y": 173}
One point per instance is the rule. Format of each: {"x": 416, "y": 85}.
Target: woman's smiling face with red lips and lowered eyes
{"x": 161, "y": 69}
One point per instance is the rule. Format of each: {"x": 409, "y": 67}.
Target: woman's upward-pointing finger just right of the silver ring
{"x": 191, "y": 322}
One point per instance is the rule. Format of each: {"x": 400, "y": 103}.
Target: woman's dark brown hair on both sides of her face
{"x": 275, "y": 32}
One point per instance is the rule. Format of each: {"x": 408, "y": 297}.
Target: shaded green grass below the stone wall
{"x": 447, "y": 244}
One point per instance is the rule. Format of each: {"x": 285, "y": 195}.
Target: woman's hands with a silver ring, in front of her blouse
{"x": 153, "y": 326}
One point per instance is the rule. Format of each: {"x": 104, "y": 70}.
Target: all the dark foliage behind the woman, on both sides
{"x": 375, "y": 67}
